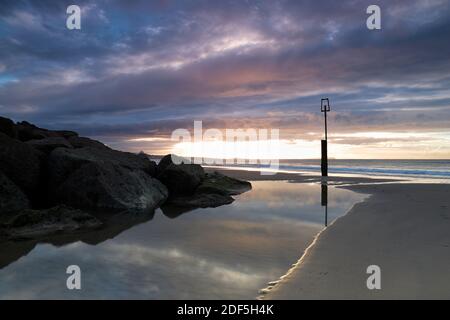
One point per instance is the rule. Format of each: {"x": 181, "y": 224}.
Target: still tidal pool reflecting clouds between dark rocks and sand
{"x": 230, "y": 252}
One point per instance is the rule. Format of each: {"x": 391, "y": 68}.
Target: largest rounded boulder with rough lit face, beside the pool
{"x": 109, "y": 185}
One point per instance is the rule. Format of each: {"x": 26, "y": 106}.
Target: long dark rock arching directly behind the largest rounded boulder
{"x": 62, "y": 161}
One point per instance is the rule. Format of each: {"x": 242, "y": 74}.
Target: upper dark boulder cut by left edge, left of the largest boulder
{"x": 20, "y": 162}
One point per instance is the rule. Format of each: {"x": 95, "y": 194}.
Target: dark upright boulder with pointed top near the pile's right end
{"x": 180, "y": 179}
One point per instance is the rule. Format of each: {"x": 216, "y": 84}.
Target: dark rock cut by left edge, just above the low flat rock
{"x": 12, "y": 198}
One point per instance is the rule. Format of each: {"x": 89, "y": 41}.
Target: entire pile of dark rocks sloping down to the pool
{"x": 85, "y": 173}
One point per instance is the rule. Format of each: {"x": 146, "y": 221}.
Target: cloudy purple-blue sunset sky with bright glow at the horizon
{"x": 138, "y": 70}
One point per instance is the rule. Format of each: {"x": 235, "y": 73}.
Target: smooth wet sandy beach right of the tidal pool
{"x": 401, "y": 227}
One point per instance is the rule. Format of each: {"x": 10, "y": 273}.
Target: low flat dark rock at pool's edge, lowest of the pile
{"x": 38, "y": 223}
